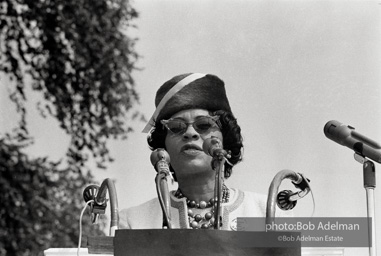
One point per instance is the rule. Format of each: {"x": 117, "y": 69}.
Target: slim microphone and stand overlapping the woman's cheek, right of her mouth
{"x": 218, "y": 164}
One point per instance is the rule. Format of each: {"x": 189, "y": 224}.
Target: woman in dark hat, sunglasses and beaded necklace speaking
{"x": 192, "y": 108}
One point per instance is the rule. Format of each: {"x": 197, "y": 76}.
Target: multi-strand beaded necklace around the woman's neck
{"x": 196, "y": 221}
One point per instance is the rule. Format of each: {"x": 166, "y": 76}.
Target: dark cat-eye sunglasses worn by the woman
{"x": 201, "y": 125}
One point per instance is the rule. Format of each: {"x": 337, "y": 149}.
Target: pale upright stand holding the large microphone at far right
{"x": 369, "y": 173}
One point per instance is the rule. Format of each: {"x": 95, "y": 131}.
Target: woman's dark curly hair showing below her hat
{"x": 231, "y": 134}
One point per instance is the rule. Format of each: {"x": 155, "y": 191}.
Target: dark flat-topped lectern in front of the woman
{"x": 183, "y": 242}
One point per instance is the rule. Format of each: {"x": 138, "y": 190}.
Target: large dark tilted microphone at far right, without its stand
{"x": 346, "y": 135}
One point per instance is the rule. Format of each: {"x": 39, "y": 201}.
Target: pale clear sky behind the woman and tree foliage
{"x": 289, "y": 67}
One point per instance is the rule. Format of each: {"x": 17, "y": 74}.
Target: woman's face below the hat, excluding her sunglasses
{"x": 185, "y": 150}
